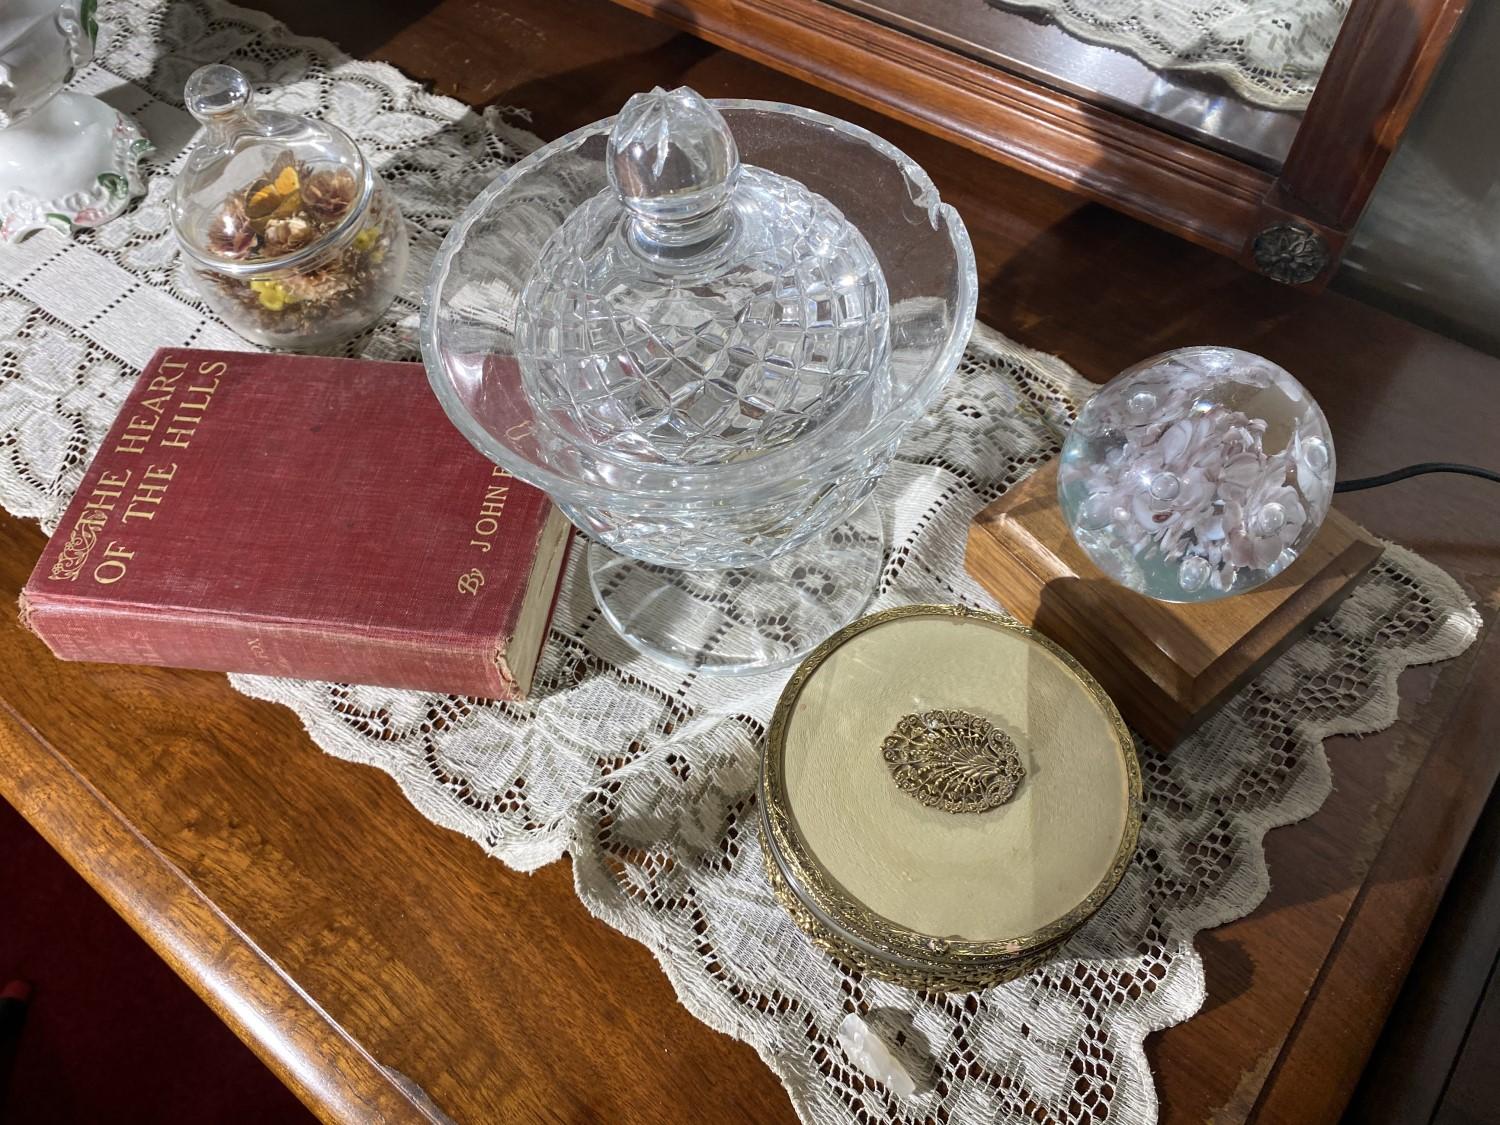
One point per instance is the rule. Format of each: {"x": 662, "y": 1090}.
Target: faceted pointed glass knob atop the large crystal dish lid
{"x": 674, "y": 164}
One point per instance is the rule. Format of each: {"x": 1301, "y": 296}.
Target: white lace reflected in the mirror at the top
{"x": 1270, "y": 52}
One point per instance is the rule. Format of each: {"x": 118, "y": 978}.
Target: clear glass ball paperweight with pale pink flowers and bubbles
{"x": 1198, "y": 475}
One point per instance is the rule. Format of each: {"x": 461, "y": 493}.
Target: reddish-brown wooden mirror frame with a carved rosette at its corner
{"x": 1291, "y": 224}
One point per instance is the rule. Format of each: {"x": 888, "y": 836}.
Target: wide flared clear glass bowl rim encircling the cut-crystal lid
{"x": 472, "y": 310}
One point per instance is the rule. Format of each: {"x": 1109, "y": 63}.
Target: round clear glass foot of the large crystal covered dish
{"x": 749, "y": 620}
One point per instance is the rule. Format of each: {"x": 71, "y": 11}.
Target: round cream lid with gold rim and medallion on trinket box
{"x": 946, "y": 779}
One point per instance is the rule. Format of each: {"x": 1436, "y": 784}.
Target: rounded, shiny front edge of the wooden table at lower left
{"x": 301, "y": 1043}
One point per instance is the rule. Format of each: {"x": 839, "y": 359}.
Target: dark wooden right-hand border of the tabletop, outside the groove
{"x": 1325, "y": 1042}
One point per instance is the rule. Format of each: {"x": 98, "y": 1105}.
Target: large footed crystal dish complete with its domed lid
{"x": 703, "y": 328}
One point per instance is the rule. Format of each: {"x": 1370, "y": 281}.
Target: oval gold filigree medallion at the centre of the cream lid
{"x": 953, "y": 761}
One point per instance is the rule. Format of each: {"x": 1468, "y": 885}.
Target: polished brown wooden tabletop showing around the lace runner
{"x": 352, "y": 943}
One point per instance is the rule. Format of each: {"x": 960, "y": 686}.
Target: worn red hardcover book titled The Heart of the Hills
{"x": 301, "y": 517}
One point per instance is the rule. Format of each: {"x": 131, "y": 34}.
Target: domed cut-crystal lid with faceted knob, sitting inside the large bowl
{"x": 700, "y": 311}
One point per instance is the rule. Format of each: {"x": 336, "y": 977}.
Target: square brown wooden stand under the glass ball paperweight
{"x": 1168, "y": 667}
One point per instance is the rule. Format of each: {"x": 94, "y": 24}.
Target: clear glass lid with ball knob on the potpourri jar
{"x": 286, "y": 166}
